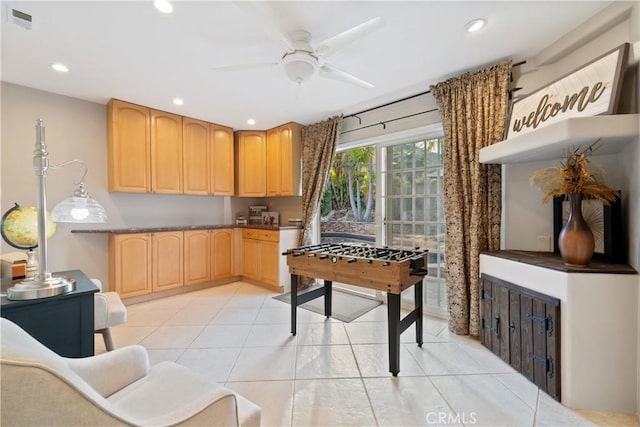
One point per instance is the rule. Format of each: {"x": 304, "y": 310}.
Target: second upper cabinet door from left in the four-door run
{"x": 166, "y": 153}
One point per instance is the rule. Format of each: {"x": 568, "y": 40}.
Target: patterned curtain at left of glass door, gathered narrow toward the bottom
{"x": 318, "y": 150}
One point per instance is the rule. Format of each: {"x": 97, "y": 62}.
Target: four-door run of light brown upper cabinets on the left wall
{"x": 159, "y": 152}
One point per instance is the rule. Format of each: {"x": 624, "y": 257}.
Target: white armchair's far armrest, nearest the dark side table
{"x": 109, "y": 372}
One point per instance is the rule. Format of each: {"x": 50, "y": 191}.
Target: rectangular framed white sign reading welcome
{"x": 588, "y": 91}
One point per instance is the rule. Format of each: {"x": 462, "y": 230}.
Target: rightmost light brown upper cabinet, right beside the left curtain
{"x": 283, "y": 160}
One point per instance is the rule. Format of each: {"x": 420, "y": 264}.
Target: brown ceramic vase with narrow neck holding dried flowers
{"x": 576, "y": 242}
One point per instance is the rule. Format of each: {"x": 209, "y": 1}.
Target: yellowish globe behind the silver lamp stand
{"x": 19, "y": 227}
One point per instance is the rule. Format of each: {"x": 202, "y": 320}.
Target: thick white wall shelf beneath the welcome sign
{"x": 551, "y": 142}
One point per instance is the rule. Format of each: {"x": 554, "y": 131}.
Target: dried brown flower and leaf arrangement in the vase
{"x": 574, "y": 176}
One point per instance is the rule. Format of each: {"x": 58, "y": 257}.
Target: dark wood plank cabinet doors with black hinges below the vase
{"x": 522, "y": 327}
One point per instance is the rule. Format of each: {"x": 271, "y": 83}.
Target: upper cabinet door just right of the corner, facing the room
{"x": 251, "y": 164}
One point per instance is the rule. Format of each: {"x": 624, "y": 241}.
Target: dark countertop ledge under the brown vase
{"x": 554, "y": 262}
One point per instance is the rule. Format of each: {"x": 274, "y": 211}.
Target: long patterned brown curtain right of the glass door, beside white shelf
{"x": 473, "y": 108}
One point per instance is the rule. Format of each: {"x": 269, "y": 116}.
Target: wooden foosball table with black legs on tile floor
{"x": 383, "y": 269}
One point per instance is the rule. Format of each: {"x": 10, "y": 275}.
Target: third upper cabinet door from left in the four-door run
{"x": 195, "y": 148}
